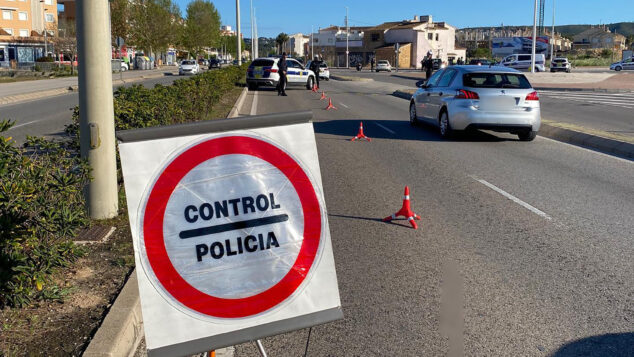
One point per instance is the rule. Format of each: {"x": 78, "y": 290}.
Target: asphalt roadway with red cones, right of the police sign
{"x": 524, "y": 248}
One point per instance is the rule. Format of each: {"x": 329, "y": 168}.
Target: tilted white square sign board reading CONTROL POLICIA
{"x": 231, "y": 237}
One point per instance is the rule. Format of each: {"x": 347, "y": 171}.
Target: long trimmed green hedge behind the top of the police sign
{"x": 186, "y": 100}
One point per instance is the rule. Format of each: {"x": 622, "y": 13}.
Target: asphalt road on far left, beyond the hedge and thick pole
{"x": 48, "y": 116}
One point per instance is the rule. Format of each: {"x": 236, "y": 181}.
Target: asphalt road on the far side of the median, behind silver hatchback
{"x": 610, "y": 112}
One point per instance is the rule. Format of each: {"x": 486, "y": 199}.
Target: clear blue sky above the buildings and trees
{"x": 299, "y": 15}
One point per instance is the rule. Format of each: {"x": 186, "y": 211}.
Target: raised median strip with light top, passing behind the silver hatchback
{"x": 610, "y": 143}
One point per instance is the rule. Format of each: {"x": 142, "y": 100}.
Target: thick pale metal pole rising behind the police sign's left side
{"x": 96, "y": 116}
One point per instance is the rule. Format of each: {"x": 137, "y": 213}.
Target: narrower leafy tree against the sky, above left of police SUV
{"x": 202, "y": 26}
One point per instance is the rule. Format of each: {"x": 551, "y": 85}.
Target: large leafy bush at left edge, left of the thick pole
{"x": 41, "y": 207}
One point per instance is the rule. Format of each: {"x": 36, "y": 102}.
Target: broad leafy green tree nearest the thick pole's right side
{"x": 154, "y": 24}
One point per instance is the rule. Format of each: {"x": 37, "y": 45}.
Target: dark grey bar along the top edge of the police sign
{"x": 214, "y": 126}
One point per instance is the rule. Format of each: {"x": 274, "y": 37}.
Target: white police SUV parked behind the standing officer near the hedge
{"x": 265, "y": 72}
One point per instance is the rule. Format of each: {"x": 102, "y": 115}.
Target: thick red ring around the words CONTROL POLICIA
{"x": 153, "y": 236}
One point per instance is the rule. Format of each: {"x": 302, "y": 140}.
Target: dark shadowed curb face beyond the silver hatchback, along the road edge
{"x": 594, "y": 142}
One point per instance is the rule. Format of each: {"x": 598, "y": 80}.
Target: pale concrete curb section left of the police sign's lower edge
{"x": 122, "y": 329}
